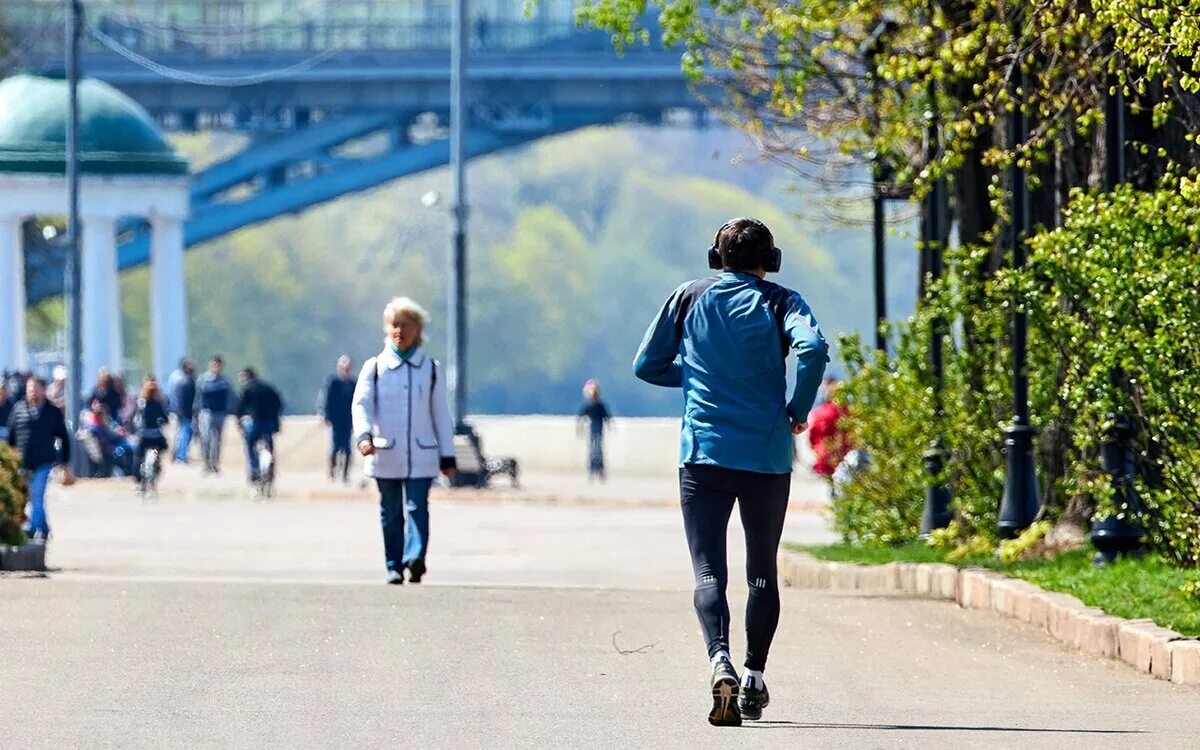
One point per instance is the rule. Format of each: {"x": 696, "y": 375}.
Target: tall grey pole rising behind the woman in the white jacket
{"x": 458, "y": 307}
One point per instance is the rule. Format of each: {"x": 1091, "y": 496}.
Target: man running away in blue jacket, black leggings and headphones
{"x": 724, "y": 340}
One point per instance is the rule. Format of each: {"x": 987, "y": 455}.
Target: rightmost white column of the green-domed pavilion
{"x": 169, "y": 295}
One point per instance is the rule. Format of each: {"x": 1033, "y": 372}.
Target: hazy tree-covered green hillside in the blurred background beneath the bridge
{"x": 575, "y": 243}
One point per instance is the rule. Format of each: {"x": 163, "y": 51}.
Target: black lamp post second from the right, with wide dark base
{"x": 1022, "y": 503}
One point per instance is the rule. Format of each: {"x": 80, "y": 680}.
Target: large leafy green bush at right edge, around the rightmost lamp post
{"x": 1120, "y": 292}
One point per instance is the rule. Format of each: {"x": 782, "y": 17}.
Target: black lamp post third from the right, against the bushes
{"x": 938, "y": 495}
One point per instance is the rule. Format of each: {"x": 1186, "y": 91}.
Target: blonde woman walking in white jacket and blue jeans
{"x": 401, "y": 419}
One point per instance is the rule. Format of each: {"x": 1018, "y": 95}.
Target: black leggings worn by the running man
{"x": 707, "y": 495}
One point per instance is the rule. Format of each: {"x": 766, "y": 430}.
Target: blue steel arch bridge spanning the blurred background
{"x": 340, "y": 97}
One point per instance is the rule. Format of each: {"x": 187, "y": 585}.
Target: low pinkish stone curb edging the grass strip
{"x": 1141, "y": 644}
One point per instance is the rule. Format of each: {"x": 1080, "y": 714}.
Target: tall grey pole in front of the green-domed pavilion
{"x": 73, "y": 284}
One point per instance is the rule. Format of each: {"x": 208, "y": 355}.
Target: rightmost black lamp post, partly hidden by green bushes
{"x": 1120, "y": 533}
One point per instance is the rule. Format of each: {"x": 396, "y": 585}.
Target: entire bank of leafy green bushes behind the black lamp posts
{"x": 1117, "y": 290}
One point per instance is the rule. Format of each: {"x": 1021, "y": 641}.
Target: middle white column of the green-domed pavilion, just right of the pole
{"x": 101, "y": 298}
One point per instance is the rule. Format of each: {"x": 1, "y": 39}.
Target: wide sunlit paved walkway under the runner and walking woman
{"x": 229, "y": 623}
